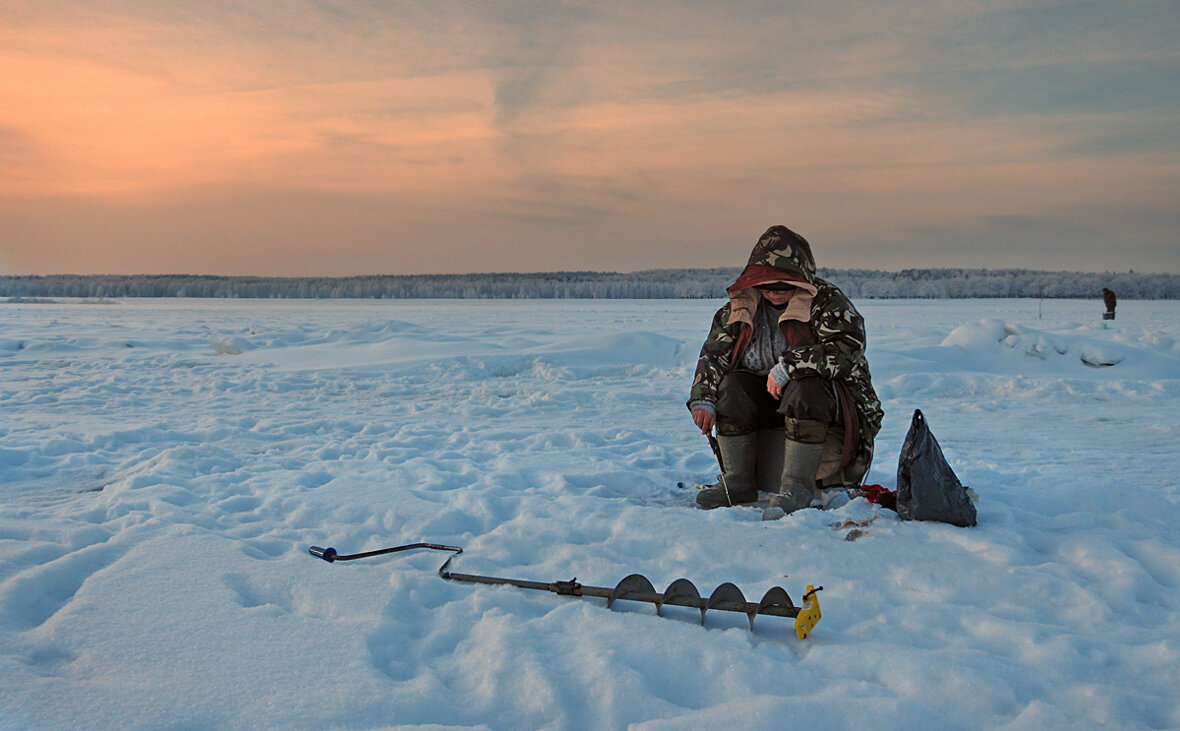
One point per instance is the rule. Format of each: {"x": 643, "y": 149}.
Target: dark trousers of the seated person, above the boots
{"x": 745, "y": 406}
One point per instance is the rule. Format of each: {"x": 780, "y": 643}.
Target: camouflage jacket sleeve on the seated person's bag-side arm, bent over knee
{"x": 840, "y": 347}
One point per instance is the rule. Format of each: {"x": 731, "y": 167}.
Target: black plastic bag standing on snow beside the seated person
{"x": 927, "y": 487}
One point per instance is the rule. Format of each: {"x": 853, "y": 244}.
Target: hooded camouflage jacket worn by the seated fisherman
{"x": 832, "y": 344}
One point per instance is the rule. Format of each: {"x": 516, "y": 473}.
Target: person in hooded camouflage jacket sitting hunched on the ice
{"x": 784, "y": 380}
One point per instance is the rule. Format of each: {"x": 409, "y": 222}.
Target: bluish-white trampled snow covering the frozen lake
{"x": 165, "y": 467}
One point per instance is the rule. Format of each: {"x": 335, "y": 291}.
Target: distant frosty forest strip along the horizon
{"x": 653, "y": 284}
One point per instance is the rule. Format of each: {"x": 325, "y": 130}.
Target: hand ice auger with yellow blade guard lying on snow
{"x": 637, "y": 588}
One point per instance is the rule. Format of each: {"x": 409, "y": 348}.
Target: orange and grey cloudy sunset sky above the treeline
{"x": 338, "y": 138}
